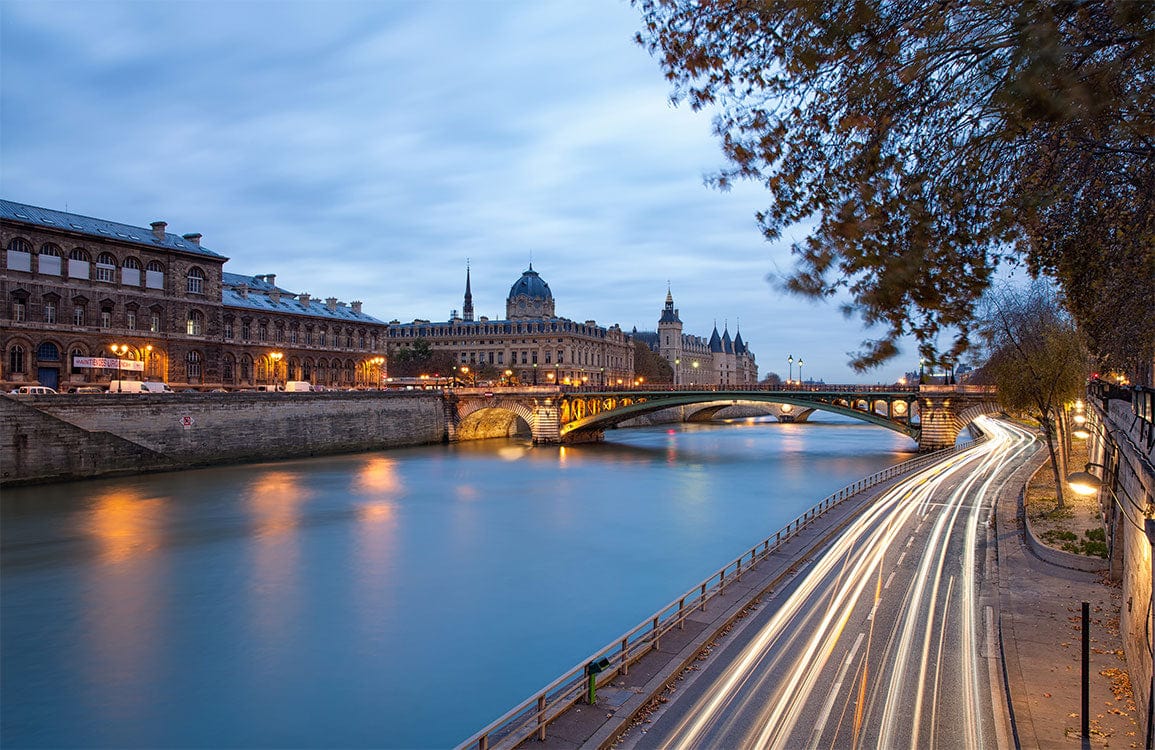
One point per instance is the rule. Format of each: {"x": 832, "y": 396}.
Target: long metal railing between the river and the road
{"x": 532, "y": 717}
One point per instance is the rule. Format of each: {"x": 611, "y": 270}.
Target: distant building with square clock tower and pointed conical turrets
{"x": 718, "y": 361}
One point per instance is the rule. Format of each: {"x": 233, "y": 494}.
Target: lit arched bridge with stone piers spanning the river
{"x": 933, "y": 415}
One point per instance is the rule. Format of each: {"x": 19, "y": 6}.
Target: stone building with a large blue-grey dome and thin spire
{"x": 533, "y": 344}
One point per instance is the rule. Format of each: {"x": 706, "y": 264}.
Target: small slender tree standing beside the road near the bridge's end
{"x": 1037, "y": 360}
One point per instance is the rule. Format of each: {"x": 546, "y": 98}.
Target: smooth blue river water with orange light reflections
{"x": 401, "y": 599}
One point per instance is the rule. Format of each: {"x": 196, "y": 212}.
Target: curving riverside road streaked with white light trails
{"x": 885, "y": 641}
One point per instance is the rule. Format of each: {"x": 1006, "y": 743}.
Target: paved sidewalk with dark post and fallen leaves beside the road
{"x": 1041, "y": 625}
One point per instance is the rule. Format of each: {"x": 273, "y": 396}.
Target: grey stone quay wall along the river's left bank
{"x": 73, "y": 437}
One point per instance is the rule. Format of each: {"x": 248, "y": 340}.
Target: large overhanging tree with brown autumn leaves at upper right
{"x": 926, "y": 144}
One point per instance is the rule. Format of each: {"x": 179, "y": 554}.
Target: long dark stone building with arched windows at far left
{"x": 88, "y": 301}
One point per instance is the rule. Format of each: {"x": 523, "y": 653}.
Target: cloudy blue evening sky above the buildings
{"x": 370, "y": 150}
